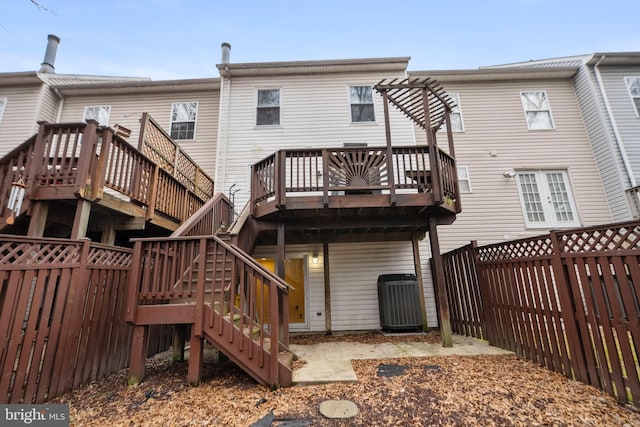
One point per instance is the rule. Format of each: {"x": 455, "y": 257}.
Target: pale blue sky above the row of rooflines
{"x": 167, "y": 39}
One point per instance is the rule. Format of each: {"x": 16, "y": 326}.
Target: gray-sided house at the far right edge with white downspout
{"x": 607, "y": 87}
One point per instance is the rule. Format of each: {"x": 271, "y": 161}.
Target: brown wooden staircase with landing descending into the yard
{"x": 220, "y": 294}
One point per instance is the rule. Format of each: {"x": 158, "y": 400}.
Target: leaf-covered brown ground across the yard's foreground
{"x": 434, "y": 391}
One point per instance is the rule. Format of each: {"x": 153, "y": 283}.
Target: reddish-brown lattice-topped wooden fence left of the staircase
{"x": 62, "y": 316}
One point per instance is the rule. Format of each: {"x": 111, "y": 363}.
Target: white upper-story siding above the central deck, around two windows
{"x": 314, "y": 112}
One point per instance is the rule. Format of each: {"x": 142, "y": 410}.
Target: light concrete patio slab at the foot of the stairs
{"x": 331, "y": 361}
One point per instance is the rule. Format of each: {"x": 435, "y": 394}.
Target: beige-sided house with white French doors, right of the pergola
{"x": 524, "y": 160}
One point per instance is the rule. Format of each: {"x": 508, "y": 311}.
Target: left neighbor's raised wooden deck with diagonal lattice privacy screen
{"x": 83, "y": 170}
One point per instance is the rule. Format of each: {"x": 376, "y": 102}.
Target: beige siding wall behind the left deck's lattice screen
{"x": 127, "y": 109}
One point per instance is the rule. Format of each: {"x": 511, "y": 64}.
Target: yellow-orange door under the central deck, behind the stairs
{"x": 294, "y": 272}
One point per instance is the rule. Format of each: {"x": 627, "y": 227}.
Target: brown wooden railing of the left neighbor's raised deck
{"x": 83, "y": 160}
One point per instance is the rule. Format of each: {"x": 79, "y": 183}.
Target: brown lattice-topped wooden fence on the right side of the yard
{"x": 568, "y": 300}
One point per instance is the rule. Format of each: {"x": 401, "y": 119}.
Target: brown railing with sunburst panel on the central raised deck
{"x": 346, "y": 171}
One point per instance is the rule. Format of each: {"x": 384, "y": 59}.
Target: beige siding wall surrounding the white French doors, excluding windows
{"x": 496, "y": 139}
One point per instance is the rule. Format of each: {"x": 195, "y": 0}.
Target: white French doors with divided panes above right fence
{"x": 546, "y": 199}
